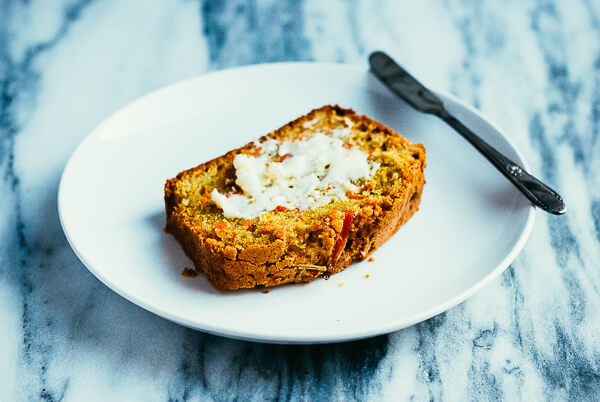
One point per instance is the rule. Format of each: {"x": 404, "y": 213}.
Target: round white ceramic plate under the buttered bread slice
{"x": 471, "y": 225}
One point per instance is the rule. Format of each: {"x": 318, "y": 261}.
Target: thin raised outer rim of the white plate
{"x": 392, "y": 325}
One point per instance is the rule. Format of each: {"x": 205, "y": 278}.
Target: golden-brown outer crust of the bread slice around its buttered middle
{"x": 271, "y": 254}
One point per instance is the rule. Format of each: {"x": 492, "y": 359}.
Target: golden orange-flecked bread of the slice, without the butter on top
{"x": 286, "y": 245}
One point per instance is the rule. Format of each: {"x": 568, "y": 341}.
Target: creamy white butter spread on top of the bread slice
{"x": 295, "y": 174}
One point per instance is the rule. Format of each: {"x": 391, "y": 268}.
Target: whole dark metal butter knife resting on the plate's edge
{"x": 400, "y": 82}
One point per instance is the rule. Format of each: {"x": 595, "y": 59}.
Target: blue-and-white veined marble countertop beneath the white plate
{"x": 533, "y": 67}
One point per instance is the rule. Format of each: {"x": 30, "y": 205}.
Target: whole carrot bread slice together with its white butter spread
{"x": 304, "y": 201}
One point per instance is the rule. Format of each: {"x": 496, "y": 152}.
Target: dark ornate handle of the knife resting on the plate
{"x": 537, "y": 192}
